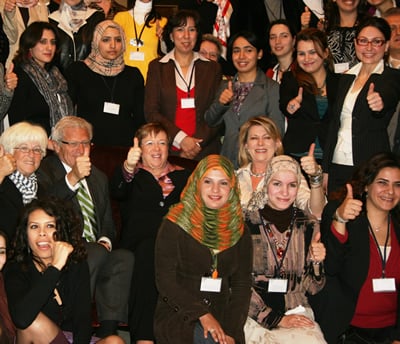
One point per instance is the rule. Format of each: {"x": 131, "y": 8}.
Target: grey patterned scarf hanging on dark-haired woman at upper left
{"x": 54, "y": 89}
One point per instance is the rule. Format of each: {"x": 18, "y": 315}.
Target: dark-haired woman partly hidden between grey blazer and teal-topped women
{"x": 282, "y": 40}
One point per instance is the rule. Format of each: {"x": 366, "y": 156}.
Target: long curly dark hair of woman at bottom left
{"x": 68, "y": 228}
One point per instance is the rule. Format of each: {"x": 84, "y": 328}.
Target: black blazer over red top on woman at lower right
{"x": 346, "y": 269}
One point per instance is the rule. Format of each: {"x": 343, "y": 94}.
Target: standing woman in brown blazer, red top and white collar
{"x": 180, "y": 87}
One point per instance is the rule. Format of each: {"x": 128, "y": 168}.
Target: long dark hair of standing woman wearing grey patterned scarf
{"x": 30, "y": 37}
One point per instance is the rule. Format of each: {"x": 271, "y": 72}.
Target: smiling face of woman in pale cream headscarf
{"x": 282, "y": 190}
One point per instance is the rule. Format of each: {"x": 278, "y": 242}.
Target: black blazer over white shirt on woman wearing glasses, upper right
{"x": 369, "y": 128}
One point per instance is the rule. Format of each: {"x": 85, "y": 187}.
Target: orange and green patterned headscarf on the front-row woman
{"x": 217, "y": 229}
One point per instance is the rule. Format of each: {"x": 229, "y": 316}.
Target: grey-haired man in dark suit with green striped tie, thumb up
{"x": 62, "y": 175}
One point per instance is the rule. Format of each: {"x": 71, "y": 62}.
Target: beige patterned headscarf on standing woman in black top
{"x": 98, "y": 63}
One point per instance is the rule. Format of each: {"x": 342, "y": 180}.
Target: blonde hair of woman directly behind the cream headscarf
{"x": 269, "y": 126}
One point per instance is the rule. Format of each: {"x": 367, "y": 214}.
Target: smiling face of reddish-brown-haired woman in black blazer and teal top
{"x": 309, "y": 58}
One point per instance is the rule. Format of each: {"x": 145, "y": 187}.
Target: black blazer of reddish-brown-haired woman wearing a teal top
{"x": 305, "y": 125}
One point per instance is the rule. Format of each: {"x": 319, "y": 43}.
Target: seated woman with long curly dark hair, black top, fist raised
{"x": 47, "y": 278}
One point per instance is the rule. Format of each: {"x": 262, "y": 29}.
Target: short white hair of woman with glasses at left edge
{"x": 23, "y": 132}
